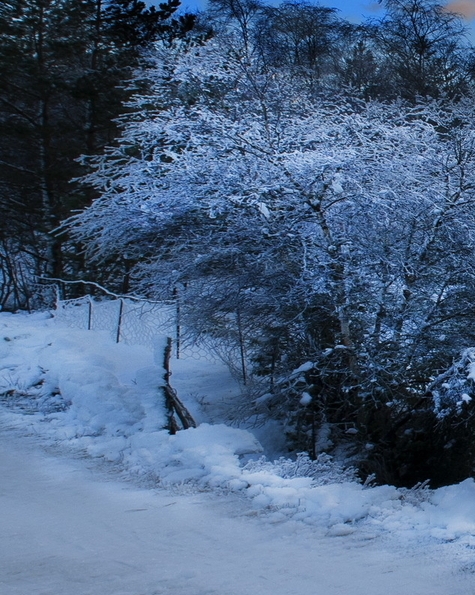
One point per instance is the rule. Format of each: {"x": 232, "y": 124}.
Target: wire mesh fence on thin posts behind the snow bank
{"x": 137, "y": 321}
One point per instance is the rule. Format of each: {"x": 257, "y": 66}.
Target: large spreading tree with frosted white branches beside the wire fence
{"x": 335, "y": 233}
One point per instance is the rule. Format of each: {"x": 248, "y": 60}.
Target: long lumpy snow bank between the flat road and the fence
{"x": 81, "y": 390}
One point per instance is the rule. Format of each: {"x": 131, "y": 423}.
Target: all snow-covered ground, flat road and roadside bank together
{"x": 124, "y": 508}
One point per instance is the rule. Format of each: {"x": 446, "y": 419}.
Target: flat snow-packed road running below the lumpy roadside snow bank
{"x": 68, "y": 528}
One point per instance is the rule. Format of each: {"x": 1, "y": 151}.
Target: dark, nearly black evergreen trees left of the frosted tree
{"x": 64, "y": 67}
